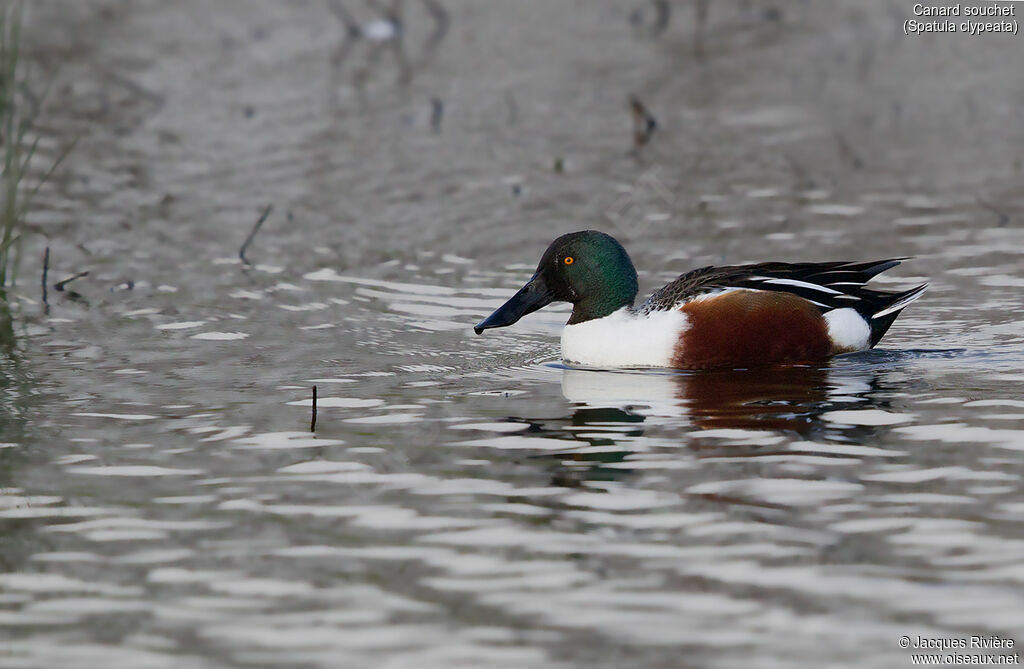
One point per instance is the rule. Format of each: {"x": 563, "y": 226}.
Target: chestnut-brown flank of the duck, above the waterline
{"x": 746, "y": 328}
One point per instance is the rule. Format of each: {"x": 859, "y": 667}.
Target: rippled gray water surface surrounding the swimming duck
{"x": 468, "y": 501}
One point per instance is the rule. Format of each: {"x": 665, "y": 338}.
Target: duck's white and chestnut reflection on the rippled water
{"x": 614, "y": 409}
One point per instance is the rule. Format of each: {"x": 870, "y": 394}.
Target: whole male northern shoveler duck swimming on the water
{"x": 744, "y": 316}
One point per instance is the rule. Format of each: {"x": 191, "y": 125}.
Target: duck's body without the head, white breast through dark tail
{"x": 745, "y": 316}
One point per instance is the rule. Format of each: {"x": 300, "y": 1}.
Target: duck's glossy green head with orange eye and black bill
{"x": 589, "y": 269}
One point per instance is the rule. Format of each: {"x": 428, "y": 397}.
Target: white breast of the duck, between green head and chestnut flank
{"x": 624, "y": 340}
